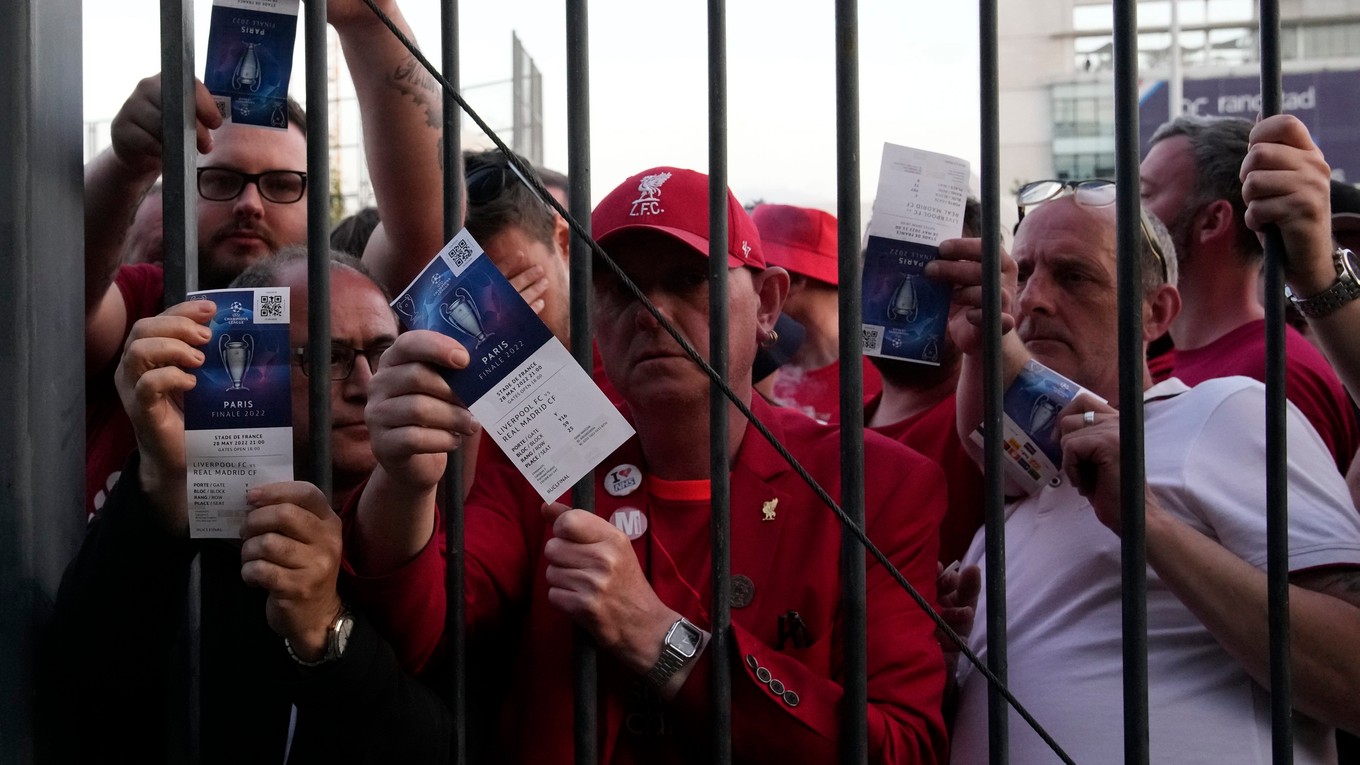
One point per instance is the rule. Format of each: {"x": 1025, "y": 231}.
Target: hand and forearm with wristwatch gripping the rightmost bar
{"x": 1286, "y": 183}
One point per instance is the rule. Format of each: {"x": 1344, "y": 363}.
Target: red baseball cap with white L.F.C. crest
{"x": 675, "y": 202}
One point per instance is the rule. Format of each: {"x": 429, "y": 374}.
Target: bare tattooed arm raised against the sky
{"x": 403, "y": 118}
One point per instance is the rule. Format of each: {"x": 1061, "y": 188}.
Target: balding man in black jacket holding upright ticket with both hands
{"x": 278, "y": 634}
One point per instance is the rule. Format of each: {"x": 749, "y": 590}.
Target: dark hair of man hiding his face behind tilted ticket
{"x": 515, "y": 205}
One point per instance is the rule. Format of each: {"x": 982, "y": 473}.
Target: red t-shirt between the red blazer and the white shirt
{"x": 934, "y": 435}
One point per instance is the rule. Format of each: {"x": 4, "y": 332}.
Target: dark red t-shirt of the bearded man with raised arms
{"x": 109, "y": 439}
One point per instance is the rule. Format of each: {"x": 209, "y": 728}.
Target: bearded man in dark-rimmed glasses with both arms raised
{"x": 251, "y": 202}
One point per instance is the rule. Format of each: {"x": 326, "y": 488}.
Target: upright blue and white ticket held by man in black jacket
{"x": 239, "y": 417}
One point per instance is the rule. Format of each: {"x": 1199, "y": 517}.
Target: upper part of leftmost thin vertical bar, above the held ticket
{"x": 179, "y": 153}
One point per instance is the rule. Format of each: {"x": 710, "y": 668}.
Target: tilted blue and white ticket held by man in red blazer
{"x": 530, "y": 394}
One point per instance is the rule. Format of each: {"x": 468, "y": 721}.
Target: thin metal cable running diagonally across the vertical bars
{"x": 526, "y": 174}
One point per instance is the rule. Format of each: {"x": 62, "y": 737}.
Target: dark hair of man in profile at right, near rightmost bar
{"x": 1219, "y": 146}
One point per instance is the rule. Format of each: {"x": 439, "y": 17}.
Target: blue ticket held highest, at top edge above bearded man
{"x": 251, "y": 61}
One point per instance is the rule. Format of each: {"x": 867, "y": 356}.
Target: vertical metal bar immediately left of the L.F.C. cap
{"x": 585, "y": 664}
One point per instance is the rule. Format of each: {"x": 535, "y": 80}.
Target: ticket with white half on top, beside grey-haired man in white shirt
{"x": 921, "y": 202}
